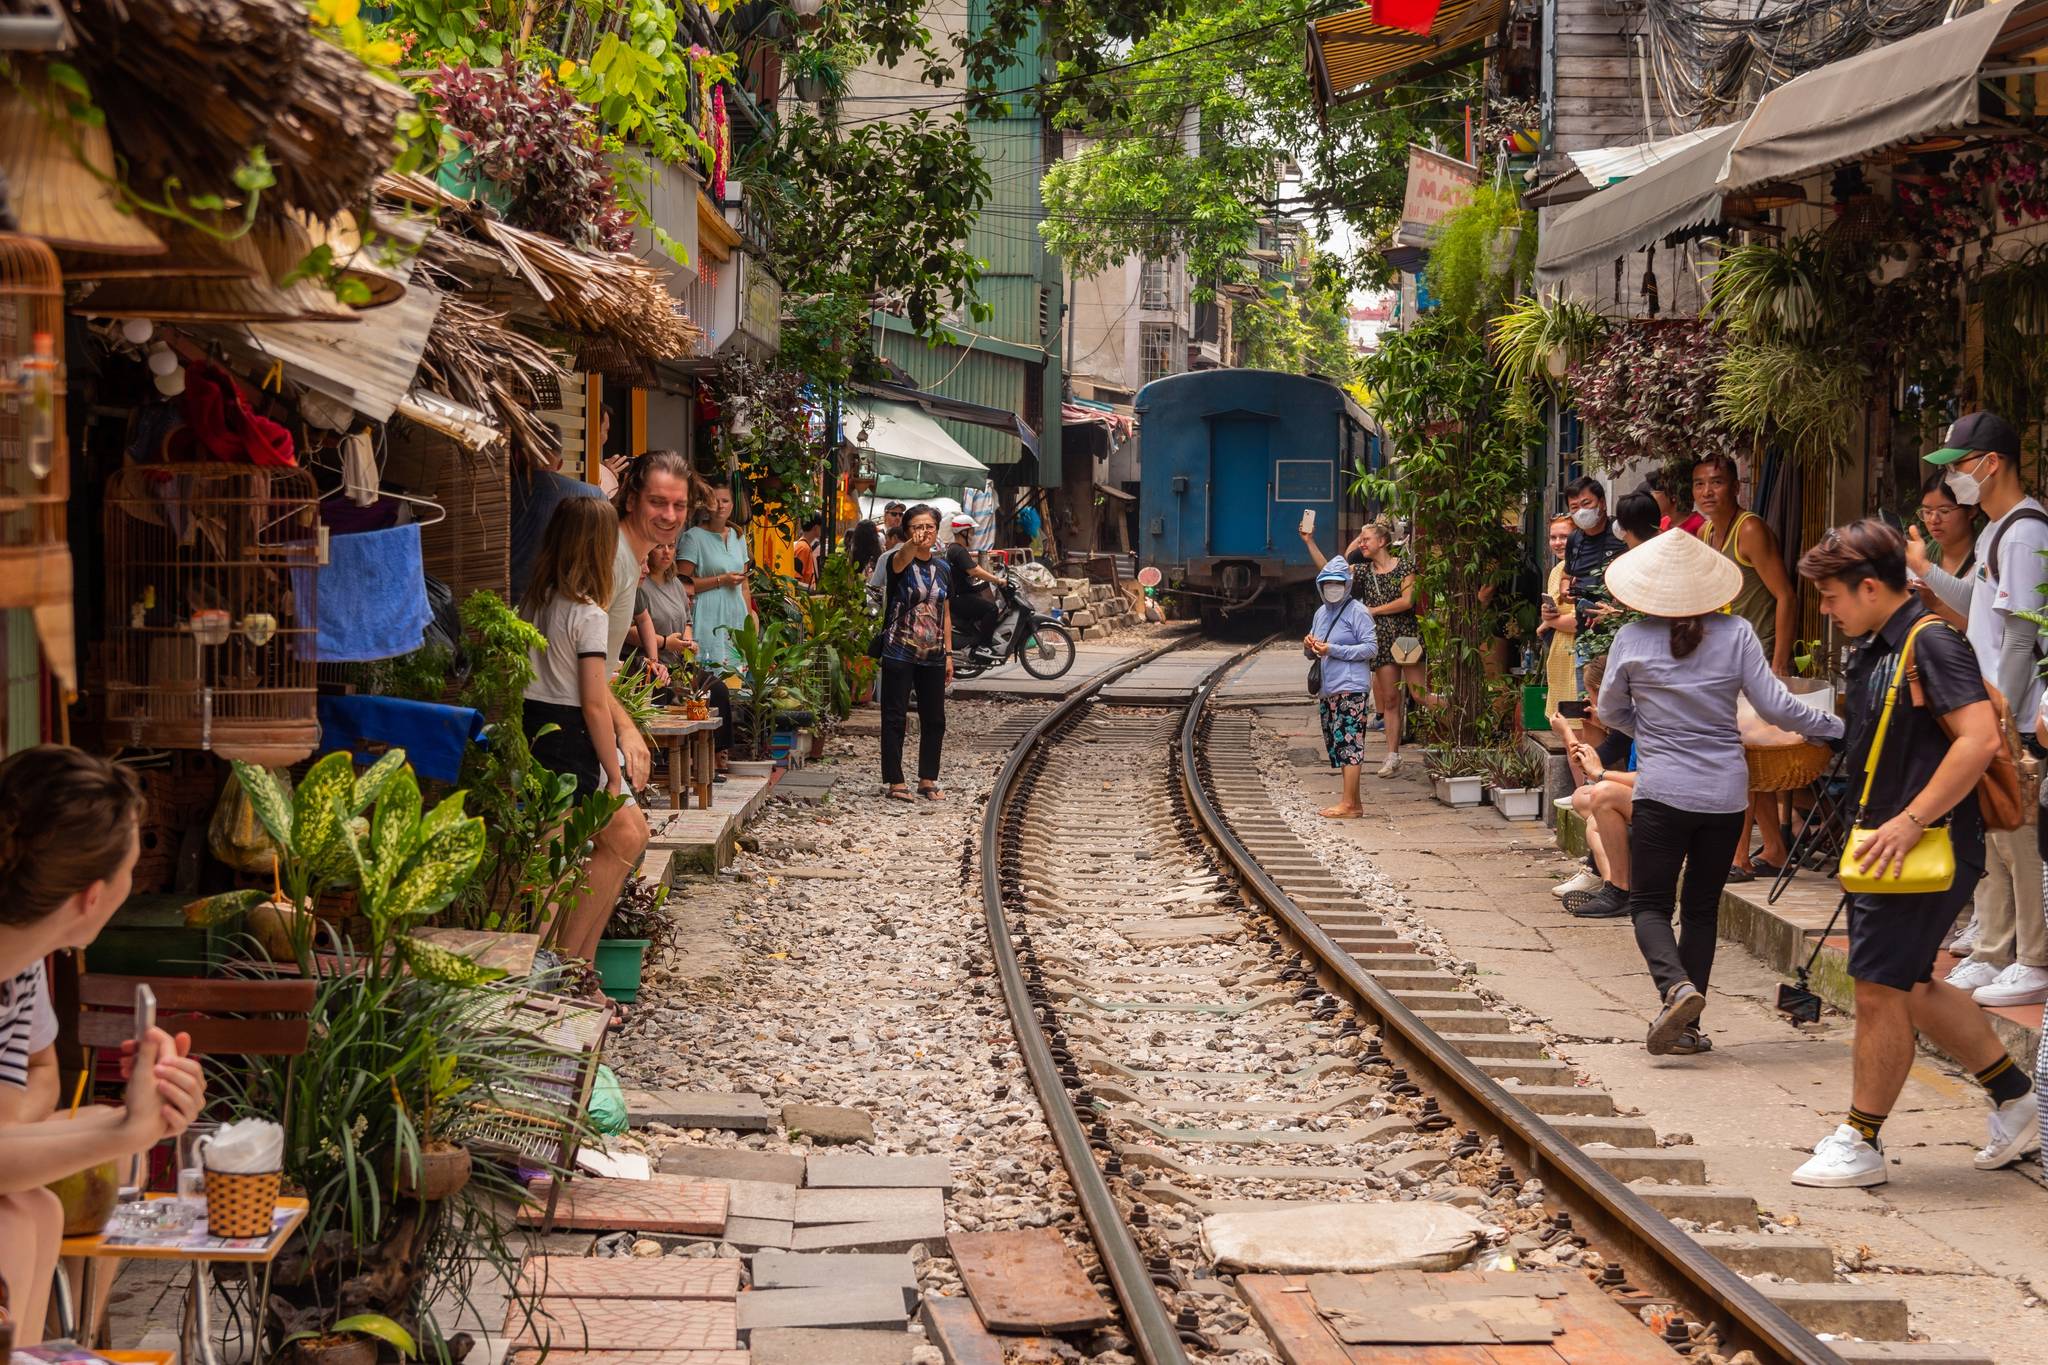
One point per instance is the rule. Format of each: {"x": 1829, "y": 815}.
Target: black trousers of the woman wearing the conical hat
{"x": 1664, "y": 842}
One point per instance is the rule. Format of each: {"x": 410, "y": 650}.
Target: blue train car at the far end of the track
{"x": 1230, "y": 464}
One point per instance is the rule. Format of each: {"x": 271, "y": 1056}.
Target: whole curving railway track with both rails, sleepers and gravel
{"x": 1215, "y": 1026}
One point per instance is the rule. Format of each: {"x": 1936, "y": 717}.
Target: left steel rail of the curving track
{"x": 1148, "y": 1321}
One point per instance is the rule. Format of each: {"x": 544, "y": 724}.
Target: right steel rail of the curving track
{"x": 1603, "y": 1208}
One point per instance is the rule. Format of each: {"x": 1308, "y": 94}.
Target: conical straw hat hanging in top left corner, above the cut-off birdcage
{"x": 50, "y": 167}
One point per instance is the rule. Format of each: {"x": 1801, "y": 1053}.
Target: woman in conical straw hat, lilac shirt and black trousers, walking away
{"x": 1672, "y": 685}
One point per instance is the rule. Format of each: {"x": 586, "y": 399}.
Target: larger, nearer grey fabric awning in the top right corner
{"x": 1889, "y": 95}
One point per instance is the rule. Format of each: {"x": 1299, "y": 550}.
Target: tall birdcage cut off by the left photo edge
{"x": 36, "y": 566}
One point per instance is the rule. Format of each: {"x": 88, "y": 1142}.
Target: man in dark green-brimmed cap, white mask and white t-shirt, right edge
{"x": 1983, "y": 472}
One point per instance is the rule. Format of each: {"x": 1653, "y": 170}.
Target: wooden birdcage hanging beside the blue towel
{"x": 210, "y": 609}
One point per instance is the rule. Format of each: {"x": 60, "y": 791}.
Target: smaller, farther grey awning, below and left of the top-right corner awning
{"x": 1680, "y": 191}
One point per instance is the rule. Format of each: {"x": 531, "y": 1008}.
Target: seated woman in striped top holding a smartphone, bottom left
{"x": 69, "y": 844}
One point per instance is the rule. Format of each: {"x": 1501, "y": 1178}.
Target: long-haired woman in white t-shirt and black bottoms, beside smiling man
{"x": 570, "y": 691}
